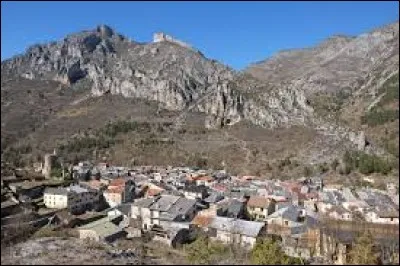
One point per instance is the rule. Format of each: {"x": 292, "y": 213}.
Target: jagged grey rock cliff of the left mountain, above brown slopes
{"x": 170, "y": 74}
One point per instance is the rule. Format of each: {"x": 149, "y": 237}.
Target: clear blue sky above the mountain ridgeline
{"x": 235, "y": 33}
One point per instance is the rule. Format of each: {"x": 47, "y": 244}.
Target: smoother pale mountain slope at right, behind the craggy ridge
{"x": 343, "y": 77}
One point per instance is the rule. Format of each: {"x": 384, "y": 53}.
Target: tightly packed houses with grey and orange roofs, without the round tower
{"x": 174, "y": 205}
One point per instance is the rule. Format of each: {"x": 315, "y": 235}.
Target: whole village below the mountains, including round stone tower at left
{"x": 313, "y": 221}
